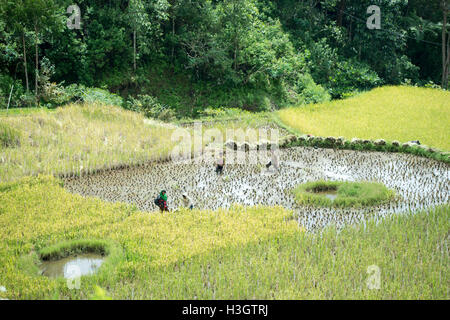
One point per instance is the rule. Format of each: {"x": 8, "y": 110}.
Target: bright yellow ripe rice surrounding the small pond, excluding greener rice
{"x": 38, "y": 212}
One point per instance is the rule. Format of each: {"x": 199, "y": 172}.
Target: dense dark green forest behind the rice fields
{"x": 178, "y": 58}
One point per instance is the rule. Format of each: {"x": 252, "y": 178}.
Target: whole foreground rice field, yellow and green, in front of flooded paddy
{"x": 241, "y": 253}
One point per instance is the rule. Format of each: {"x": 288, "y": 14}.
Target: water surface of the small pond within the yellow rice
{"x": 79, "y": 265}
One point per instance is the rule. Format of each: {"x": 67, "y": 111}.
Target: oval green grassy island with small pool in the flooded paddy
{"x": 348, "y": 194}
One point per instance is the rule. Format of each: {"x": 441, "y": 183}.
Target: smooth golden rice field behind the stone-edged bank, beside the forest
{"x": 392, "y": 113}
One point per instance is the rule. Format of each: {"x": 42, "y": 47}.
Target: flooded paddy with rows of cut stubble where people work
{"x": 419, "y": 183}
